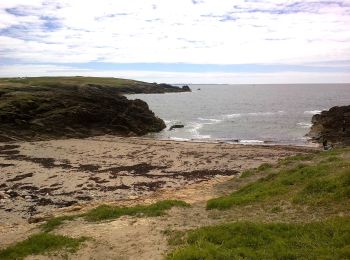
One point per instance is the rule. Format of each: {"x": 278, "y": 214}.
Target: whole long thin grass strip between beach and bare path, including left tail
{"x": 107, "y": 212}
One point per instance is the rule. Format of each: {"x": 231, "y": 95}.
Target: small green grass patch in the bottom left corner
{"x": 41, "y": 243}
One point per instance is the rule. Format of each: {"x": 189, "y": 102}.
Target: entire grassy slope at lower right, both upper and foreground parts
{"x": 314, "y": 183}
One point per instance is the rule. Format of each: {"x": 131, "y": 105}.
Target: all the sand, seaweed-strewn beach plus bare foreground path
{"x": 50, "y": 178}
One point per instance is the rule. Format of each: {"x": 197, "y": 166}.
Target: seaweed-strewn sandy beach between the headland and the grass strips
{"x": 49, "y": 178}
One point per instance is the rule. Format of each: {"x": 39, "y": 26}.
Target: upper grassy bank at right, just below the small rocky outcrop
{"x": 313, "y": 180}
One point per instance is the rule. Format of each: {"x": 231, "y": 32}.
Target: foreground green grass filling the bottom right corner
{"x": 245, "y": 240}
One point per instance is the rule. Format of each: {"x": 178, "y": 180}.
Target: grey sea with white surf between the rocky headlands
{"x": 274, "y": 114}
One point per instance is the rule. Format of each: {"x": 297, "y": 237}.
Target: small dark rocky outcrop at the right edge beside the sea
{"x": 332, "y": 126}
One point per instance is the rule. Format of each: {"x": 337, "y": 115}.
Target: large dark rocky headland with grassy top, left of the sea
{"x": 66, "y": 107}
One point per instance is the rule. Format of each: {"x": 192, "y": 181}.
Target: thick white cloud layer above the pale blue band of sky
{"x": 183, "y": 31}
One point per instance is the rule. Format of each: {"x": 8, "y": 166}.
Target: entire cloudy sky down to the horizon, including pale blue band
{"x": 182, "y": 41}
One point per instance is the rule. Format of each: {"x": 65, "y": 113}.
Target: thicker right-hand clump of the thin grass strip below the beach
{"x": 105, "y": 212}
